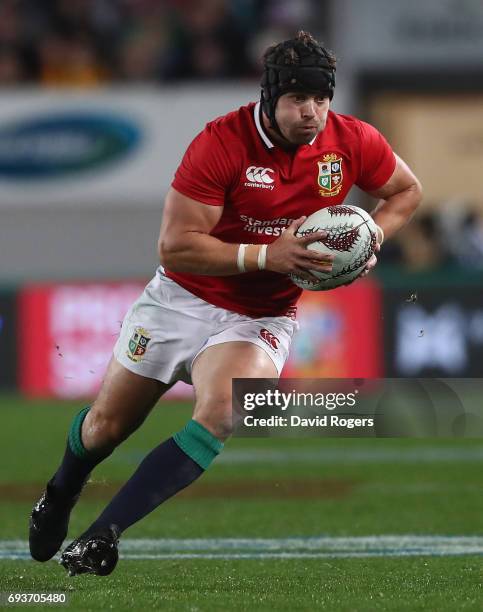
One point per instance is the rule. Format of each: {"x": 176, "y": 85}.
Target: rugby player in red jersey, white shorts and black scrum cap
{"x": 222, "y": 306}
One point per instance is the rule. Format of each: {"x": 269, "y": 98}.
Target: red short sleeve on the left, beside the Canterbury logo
{"x": 205, "y": 174}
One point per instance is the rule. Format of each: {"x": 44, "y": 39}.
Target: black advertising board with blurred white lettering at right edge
{"x": 439, "y": 334}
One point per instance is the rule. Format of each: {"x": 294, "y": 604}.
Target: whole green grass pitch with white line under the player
{"x": 273, "y": 525}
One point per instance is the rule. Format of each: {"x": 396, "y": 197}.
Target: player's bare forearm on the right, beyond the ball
{"x": 394, "y": 212}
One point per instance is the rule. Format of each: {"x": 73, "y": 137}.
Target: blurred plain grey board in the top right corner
{"x": 415, "y": 34}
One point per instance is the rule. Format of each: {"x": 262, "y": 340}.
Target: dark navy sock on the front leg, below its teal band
{"x": 165, "y": 471}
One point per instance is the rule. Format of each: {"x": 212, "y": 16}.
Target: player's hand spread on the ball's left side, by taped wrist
{"x": 289, "y": 254}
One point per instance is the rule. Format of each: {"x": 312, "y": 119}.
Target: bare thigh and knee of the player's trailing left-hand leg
{"x": 124, "y": 401}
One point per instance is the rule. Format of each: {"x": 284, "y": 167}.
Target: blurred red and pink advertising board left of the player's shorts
{"x": 67, "y": 333}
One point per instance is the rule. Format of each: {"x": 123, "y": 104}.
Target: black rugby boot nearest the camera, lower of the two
{"x": 92, "y": 553}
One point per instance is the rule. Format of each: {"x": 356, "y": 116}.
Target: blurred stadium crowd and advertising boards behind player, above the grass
{"x": 98, "y": 102}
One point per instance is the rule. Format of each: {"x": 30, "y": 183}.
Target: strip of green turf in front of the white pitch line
{"x": 425, "y": 583}
